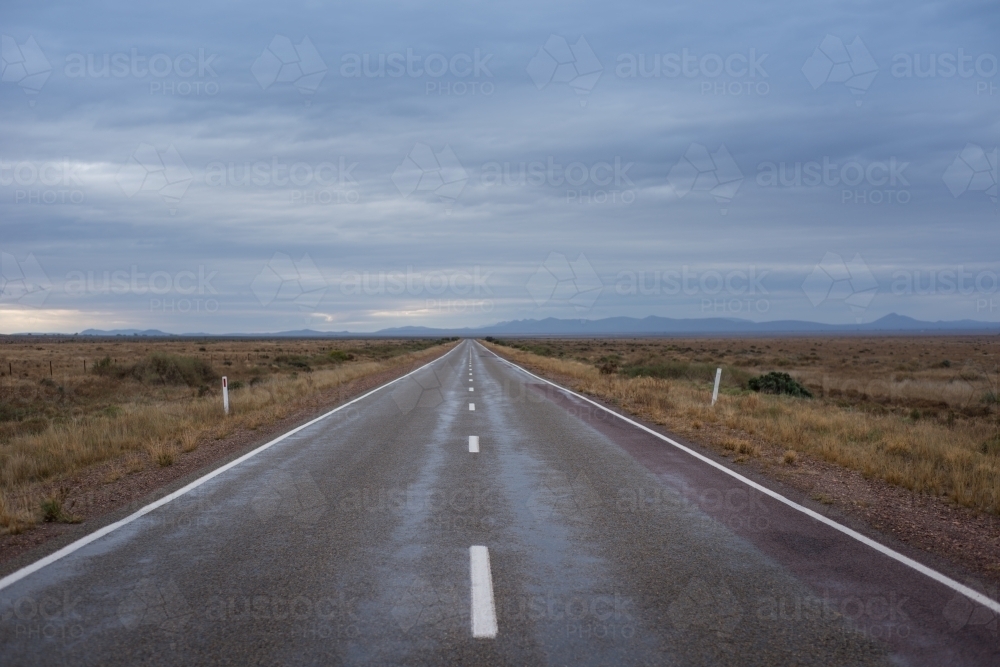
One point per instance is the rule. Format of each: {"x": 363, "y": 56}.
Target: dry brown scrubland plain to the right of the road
{"x": 917, "y": 412}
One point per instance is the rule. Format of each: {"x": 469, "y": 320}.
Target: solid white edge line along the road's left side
{"x": 27, "y": 570}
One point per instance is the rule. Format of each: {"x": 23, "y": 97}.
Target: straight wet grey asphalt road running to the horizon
{"x": 349, "y": 541}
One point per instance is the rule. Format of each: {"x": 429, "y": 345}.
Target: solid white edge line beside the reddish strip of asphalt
{"x": 974, "y": 595}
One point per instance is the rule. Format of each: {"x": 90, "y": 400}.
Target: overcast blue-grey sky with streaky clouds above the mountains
{"x": 253, "y": 167}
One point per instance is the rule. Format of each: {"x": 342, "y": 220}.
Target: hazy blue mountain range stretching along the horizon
{"x": 619, "y": 326}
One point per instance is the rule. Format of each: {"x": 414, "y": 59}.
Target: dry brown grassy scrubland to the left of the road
{"x": 132, "y": 403}
